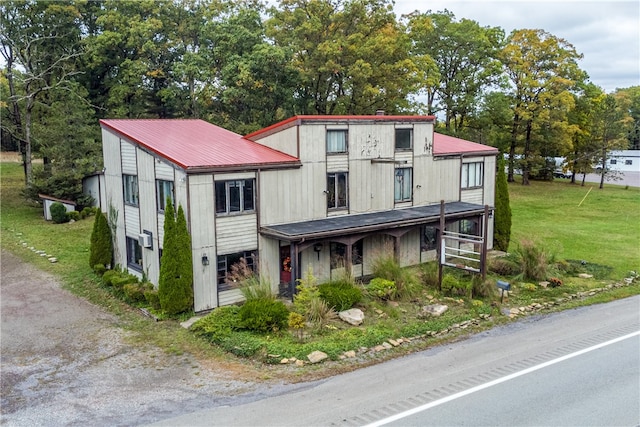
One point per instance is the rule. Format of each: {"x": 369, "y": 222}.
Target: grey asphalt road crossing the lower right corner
{"x": 372, "y": 394}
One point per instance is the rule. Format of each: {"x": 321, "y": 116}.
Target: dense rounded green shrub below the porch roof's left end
{"x": 264, "y": 315}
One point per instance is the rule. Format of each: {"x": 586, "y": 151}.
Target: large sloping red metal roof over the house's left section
{"x": 196, "y": 144}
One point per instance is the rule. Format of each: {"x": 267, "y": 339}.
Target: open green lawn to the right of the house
{"x": 604, "y": 229}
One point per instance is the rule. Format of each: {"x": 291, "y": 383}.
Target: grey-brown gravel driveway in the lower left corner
{"x": 66, "y": 362}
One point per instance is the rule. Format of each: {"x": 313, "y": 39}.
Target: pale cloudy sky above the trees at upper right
{"x": 607, "y": 33}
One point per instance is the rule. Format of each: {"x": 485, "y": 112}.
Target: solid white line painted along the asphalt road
{"x": 509, "y": 377}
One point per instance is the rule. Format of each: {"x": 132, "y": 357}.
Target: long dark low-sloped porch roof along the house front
{"x": 369, "y": 222}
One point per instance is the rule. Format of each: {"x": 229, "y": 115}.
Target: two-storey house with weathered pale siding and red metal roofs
{"x": 320, "y": 192}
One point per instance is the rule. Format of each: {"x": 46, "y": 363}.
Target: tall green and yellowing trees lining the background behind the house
{"x": 245, "y": 65}
